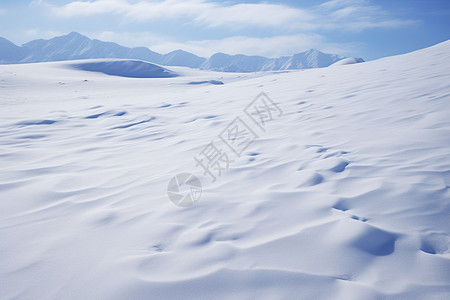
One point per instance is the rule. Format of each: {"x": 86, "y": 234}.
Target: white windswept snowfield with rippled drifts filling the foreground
{"x": 346, "y": 195}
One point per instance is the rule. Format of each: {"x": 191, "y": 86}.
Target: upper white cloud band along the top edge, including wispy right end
{"x": 353, "y": 15}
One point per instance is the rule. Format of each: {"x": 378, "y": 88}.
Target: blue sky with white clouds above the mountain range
{"x": 369, "y": 29}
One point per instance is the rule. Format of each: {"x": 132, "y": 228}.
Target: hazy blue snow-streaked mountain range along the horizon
{"x": 76, "y": 46}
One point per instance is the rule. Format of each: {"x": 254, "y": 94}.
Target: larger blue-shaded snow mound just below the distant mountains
{"x": 125, "y": 68}
